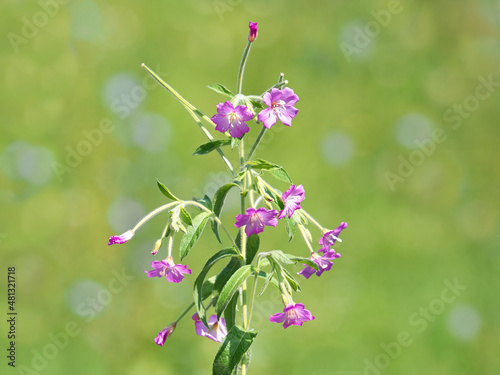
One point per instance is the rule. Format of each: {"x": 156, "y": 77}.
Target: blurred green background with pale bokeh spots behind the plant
{"x": 397, "y": 134}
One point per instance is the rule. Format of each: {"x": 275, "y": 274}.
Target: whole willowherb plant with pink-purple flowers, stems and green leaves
{"x": 262, "y": 205}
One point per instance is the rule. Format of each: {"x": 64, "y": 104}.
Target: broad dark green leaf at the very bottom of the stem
{"x": 232, "y": 350}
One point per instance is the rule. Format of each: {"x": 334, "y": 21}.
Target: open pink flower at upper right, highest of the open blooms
{"x": 280, "y": 103}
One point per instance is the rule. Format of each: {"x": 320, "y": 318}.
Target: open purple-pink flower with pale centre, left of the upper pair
{"x": 232, "y": 119}
